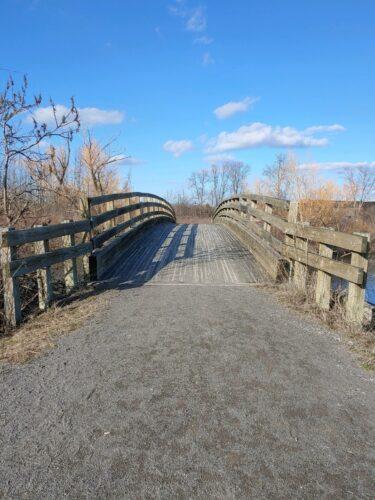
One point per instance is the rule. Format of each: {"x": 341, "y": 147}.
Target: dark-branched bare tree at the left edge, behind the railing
{"x": 21, "y": 135}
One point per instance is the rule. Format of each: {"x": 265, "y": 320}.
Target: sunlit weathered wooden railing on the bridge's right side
{"x": 269, "y": 227}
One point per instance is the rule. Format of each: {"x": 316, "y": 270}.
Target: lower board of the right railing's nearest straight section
{"x": 348, "y": 272}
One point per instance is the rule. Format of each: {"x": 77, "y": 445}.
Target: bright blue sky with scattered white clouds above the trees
{"x": 281, "y": 75}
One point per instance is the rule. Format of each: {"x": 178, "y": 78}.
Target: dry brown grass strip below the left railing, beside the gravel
{"x": 41, "y": 332}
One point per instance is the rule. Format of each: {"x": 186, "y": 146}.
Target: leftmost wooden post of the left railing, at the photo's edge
{"x": 12, "y": 300}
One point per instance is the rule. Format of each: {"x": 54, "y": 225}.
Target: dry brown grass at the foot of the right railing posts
{"x": 360, "y": 340}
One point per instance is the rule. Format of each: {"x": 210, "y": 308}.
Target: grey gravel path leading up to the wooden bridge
{"x": 189, "y": 391}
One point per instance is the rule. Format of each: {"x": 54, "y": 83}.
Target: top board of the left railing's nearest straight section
{"x": 22, "y": 236}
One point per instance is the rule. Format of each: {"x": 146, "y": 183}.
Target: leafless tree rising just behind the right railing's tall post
{"x": 279, "y": 176}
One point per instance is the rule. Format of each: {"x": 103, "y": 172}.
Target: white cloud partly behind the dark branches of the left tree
{"x": 88, "y": 117}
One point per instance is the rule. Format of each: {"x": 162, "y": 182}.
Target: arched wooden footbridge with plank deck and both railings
{"x": 134, "y": 237}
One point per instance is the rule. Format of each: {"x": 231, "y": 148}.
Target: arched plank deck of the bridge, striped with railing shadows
{"x": 187, "y": 254}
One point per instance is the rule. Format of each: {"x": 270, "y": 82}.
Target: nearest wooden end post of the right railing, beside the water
{"x": 355, "y": 305}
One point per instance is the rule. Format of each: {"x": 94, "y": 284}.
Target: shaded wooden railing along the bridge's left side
{"x": 97, "y": 240}
